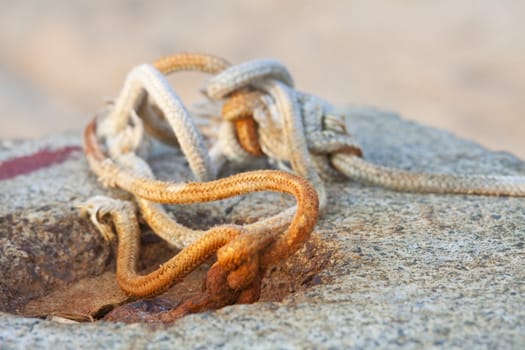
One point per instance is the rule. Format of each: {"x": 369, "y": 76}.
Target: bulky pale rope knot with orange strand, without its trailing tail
{"x": 260, "y": 105}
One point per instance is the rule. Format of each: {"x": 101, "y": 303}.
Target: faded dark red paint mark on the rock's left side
{"x": 41, "y": 159}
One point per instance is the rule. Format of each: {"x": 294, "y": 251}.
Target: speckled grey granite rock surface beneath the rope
{"x": 409, "y": 271}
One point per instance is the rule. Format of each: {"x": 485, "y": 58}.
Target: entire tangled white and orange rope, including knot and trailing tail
{"x": 262, "y": 115}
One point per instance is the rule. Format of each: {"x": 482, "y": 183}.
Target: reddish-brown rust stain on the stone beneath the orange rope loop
{"x": 300, "y": 272}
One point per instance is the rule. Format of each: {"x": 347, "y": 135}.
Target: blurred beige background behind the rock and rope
{"x": 456, "y": 65}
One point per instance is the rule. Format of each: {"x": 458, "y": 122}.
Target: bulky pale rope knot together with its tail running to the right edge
{"x": 332, "y": 151}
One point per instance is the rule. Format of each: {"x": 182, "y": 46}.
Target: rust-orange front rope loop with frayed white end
{"x": 236, "y": 246}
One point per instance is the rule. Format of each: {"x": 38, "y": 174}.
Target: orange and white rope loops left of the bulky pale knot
{"x": 243, "y": 252}
